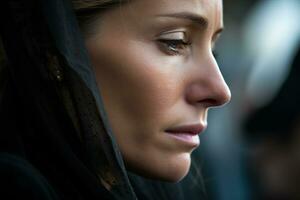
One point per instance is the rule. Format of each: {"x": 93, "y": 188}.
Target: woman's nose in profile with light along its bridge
{"x": 208, "y": 87}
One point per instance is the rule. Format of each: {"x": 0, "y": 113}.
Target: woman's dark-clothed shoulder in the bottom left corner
{"x": 19, "y": 179}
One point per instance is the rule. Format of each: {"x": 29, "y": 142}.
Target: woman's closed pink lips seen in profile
{"x": 188, "y": 134}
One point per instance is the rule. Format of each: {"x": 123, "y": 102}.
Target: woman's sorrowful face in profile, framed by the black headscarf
{"x": 157, "y": 75}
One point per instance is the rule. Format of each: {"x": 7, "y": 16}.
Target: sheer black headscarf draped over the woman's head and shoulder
{"x": 55, "y": 134}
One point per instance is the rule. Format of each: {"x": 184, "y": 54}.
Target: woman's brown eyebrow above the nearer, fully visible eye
{"x": 195, "y": 18}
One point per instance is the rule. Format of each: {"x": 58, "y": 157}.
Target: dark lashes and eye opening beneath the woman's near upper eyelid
{"x": 175, "y": 46}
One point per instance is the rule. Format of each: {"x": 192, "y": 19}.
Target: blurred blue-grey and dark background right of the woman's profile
{"x": 251, "y": 150}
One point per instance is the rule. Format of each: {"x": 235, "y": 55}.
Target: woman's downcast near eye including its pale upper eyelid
{"x": 174, "y": 43}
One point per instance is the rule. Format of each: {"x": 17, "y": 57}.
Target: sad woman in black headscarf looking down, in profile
{"x": 152, "y": 63}
